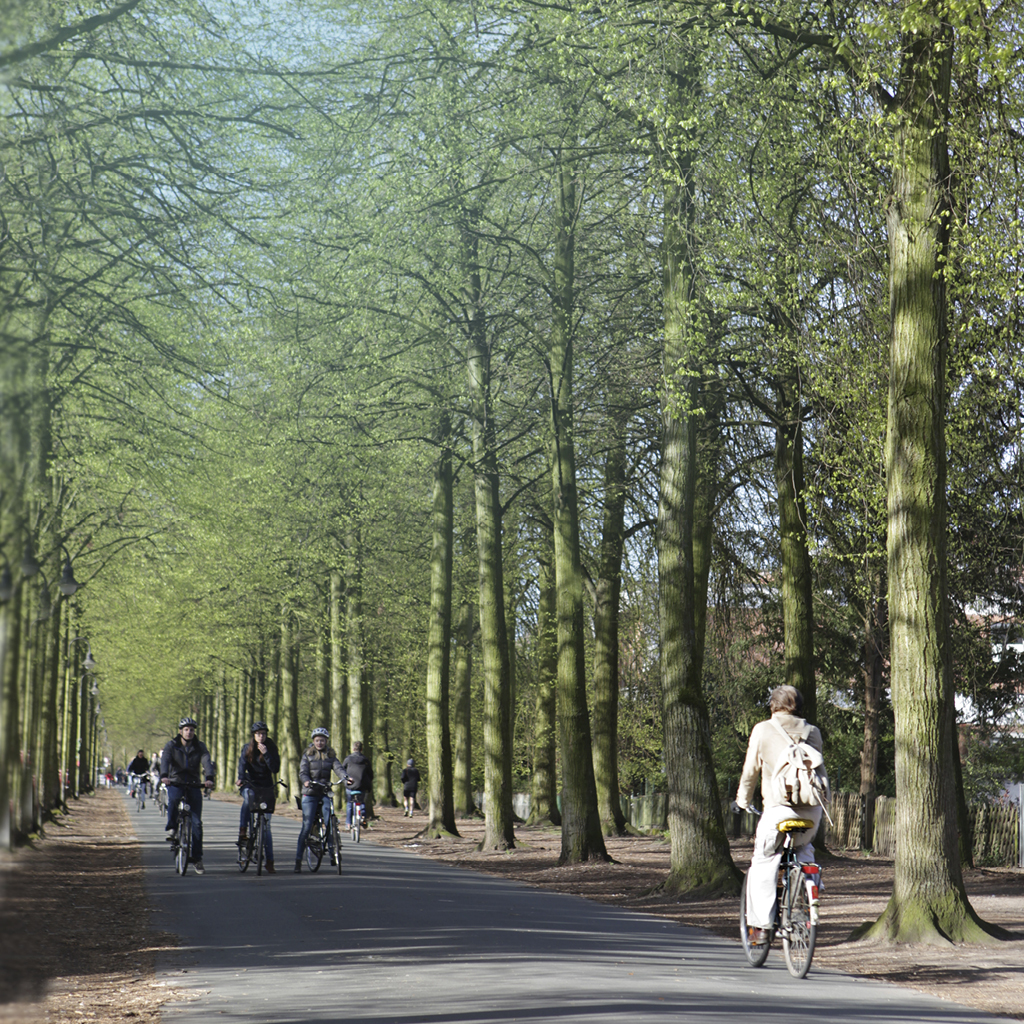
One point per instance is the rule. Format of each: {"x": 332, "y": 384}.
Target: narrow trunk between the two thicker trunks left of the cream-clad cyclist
{"x": 607, "y": 593}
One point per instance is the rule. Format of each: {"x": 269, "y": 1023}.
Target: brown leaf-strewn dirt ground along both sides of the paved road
{"x": 76, "y": 945}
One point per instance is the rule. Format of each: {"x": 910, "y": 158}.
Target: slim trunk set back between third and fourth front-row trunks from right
{"x": 544, "y": 802}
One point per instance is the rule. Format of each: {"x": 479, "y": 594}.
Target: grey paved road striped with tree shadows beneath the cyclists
{"x": 399, "y": 940}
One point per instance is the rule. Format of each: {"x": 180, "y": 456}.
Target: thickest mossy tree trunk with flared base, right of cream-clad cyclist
{"x": 929, "y": 903}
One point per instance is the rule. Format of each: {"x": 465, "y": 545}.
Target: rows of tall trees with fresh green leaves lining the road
{"x": 527, "y": 389}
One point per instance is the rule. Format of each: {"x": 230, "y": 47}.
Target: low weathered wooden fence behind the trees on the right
{"x": 997, "y": 830}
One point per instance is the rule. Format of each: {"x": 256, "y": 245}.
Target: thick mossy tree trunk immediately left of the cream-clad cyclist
{"x": 701, "y": 859}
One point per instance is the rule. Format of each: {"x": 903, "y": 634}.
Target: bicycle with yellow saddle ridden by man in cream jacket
{"x": 796, "y": 918}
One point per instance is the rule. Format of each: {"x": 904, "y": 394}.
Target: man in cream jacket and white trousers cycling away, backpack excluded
{"x": 763, "y": 752}
